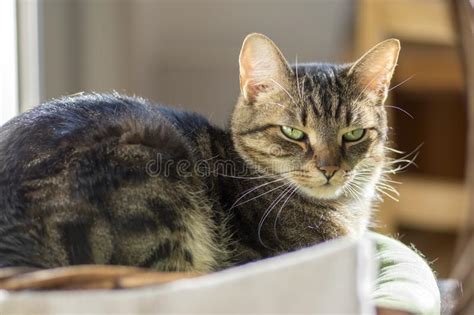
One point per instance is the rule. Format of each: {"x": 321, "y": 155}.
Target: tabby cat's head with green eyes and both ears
{"x": 321, "y": 126}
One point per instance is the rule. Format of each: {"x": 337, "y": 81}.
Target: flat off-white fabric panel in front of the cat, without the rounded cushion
{"x": 334, "y": 277}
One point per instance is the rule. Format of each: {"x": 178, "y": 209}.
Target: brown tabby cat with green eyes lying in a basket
{"x": 111, "y": 179}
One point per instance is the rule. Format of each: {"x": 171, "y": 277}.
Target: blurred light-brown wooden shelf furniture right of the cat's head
{"x": 434, "y": 197}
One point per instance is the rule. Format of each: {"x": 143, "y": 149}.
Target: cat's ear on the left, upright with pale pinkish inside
{"x": 261, "y": 65}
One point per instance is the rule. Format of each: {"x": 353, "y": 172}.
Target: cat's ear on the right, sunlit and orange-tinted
{"x": 374, "y": 70}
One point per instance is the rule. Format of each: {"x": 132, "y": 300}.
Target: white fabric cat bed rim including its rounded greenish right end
{"x": 333, "y": 277}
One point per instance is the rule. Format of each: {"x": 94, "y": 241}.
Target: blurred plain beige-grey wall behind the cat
{"x": 181, "y": 52}
